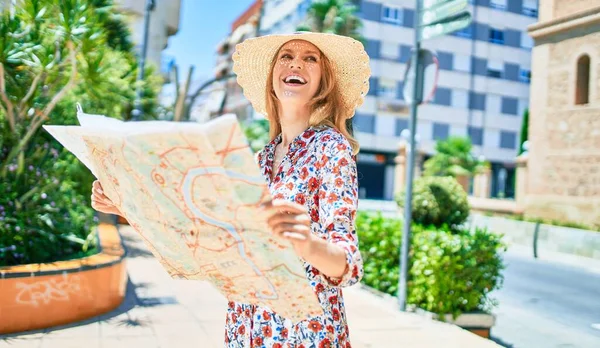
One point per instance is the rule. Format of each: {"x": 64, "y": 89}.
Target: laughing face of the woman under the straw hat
{"x": 297, "y": 72}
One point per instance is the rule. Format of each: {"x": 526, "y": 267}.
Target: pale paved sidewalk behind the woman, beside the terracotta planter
{"x": 161, "y": 312}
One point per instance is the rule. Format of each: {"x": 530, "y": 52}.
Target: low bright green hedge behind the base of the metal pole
{"x": 450, "y": 272}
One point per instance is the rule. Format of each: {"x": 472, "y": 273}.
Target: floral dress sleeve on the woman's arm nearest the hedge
{"x": 338, "y": 202}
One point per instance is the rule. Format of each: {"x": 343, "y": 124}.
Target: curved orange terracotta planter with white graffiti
{"x": 39, "y": 296}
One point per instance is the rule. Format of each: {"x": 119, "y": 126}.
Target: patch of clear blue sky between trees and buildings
{"x": 202, "y": 25}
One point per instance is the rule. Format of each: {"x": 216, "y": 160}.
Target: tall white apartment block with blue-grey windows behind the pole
{"x": 482, "y": 92}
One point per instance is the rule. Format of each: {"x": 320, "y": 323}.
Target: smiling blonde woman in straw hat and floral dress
{"x": 308, "y": 85}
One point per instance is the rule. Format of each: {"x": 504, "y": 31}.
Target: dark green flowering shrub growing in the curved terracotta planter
{"x": 42, "y": 217}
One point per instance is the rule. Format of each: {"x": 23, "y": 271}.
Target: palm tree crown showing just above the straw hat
{"x": 336, "y": 17}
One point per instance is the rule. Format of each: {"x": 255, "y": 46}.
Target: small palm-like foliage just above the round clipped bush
{"x": 453, "y": 158}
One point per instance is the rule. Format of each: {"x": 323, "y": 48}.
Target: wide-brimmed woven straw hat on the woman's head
{"x": 252, "y": 63}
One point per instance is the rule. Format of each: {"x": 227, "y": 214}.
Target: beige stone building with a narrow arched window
{"x": 561, "y": 176}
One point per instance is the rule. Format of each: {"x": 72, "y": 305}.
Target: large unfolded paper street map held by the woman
{"x": 192, "y": 191}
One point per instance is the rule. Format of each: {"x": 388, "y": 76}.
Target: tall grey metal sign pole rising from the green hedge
{"x": 416, "y": 96}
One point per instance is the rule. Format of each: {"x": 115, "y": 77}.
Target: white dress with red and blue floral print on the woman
{"x": 319, "y": 172}
